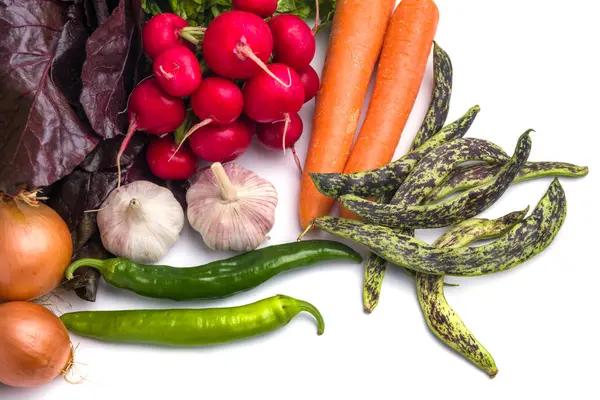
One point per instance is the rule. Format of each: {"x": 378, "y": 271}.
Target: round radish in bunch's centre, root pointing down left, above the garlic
{"x": 217, "y": 100}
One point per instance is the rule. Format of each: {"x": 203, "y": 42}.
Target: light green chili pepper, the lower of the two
{"x": 190, "y": 327}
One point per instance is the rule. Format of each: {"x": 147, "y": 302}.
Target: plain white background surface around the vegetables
{"x": 528, "y": 64}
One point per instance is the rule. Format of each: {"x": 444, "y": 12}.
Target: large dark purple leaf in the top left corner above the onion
{"x": 41, "y": 137}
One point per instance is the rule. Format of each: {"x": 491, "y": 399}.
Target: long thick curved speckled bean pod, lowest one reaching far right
{"x": 526, "y": 239}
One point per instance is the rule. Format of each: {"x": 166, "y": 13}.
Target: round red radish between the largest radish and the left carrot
{"x": 293, "y": 41}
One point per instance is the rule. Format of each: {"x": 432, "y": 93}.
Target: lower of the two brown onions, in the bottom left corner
{"x": 34, "y": 345}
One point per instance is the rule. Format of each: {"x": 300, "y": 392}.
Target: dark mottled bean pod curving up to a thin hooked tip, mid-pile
{"x": 449, "y": 212}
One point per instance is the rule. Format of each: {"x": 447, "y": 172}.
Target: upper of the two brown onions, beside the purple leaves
{"x": 35, "y": 248}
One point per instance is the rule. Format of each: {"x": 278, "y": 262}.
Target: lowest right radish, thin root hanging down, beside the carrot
{"x": 282, "y": 135}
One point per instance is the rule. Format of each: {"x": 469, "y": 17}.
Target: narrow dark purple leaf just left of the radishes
{"x": 108, "y": 72}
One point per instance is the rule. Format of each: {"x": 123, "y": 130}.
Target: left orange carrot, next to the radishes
{"x": 356, "y": 38}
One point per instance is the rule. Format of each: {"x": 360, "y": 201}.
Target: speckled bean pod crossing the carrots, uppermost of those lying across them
{"x": 390, "y": 176}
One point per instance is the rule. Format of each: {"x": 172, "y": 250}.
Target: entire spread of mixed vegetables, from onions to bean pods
{"x": 83, "y": 197}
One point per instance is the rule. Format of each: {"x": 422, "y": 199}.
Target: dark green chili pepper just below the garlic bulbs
{"x": 217, "y": 279}
